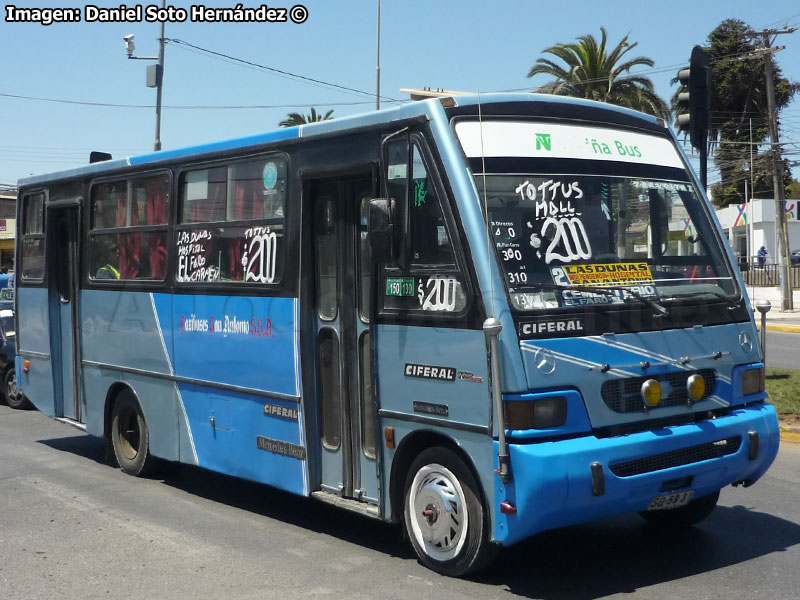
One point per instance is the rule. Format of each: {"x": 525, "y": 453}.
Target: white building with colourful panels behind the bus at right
{"x": 752, "y": 225}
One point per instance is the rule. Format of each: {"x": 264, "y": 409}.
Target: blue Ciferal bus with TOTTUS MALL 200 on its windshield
{"x": 478, "y": 317}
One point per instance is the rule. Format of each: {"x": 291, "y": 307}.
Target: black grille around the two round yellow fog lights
{"x": 625, "y": 395}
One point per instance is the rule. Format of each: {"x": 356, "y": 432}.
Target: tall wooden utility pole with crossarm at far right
{"x": 777, "y": 171}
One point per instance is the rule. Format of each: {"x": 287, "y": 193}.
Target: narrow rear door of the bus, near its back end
{"x": 63, "y": 230}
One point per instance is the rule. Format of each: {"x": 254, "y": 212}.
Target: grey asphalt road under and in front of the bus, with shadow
{"x": 72, "y": 526}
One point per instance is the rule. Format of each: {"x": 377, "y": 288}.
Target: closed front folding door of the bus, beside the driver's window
{"x": 347, "y": 413}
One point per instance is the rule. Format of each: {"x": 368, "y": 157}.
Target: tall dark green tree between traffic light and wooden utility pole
{"x": 739, "y": 102}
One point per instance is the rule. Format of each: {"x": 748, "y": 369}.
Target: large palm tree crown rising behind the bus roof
{"x": 589, "y": 71}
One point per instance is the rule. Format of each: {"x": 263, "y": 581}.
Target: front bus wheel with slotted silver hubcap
{"x": 444, "y": 516}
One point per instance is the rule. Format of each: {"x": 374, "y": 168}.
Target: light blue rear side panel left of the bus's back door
{"x": 33, "y": 310}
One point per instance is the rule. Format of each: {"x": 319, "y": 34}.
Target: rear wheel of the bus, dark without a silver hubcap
{"x": 130, "y": 437}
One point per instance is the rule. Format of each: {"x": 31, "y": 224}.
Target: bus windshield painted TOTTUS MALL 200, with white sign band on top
{"x": 635, "y": 232}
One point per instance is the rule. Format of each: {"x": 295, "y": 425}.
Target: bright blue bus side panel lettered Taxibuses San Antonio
{"x": 243, "y": 343}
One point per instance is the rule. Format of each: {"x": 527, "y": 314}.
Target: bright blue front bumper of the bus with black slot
{"x": 552, "y": 483}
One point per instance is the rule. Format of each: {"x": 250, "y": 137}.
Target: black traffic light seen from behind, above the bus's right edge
{"x": 693, "y": 104}
